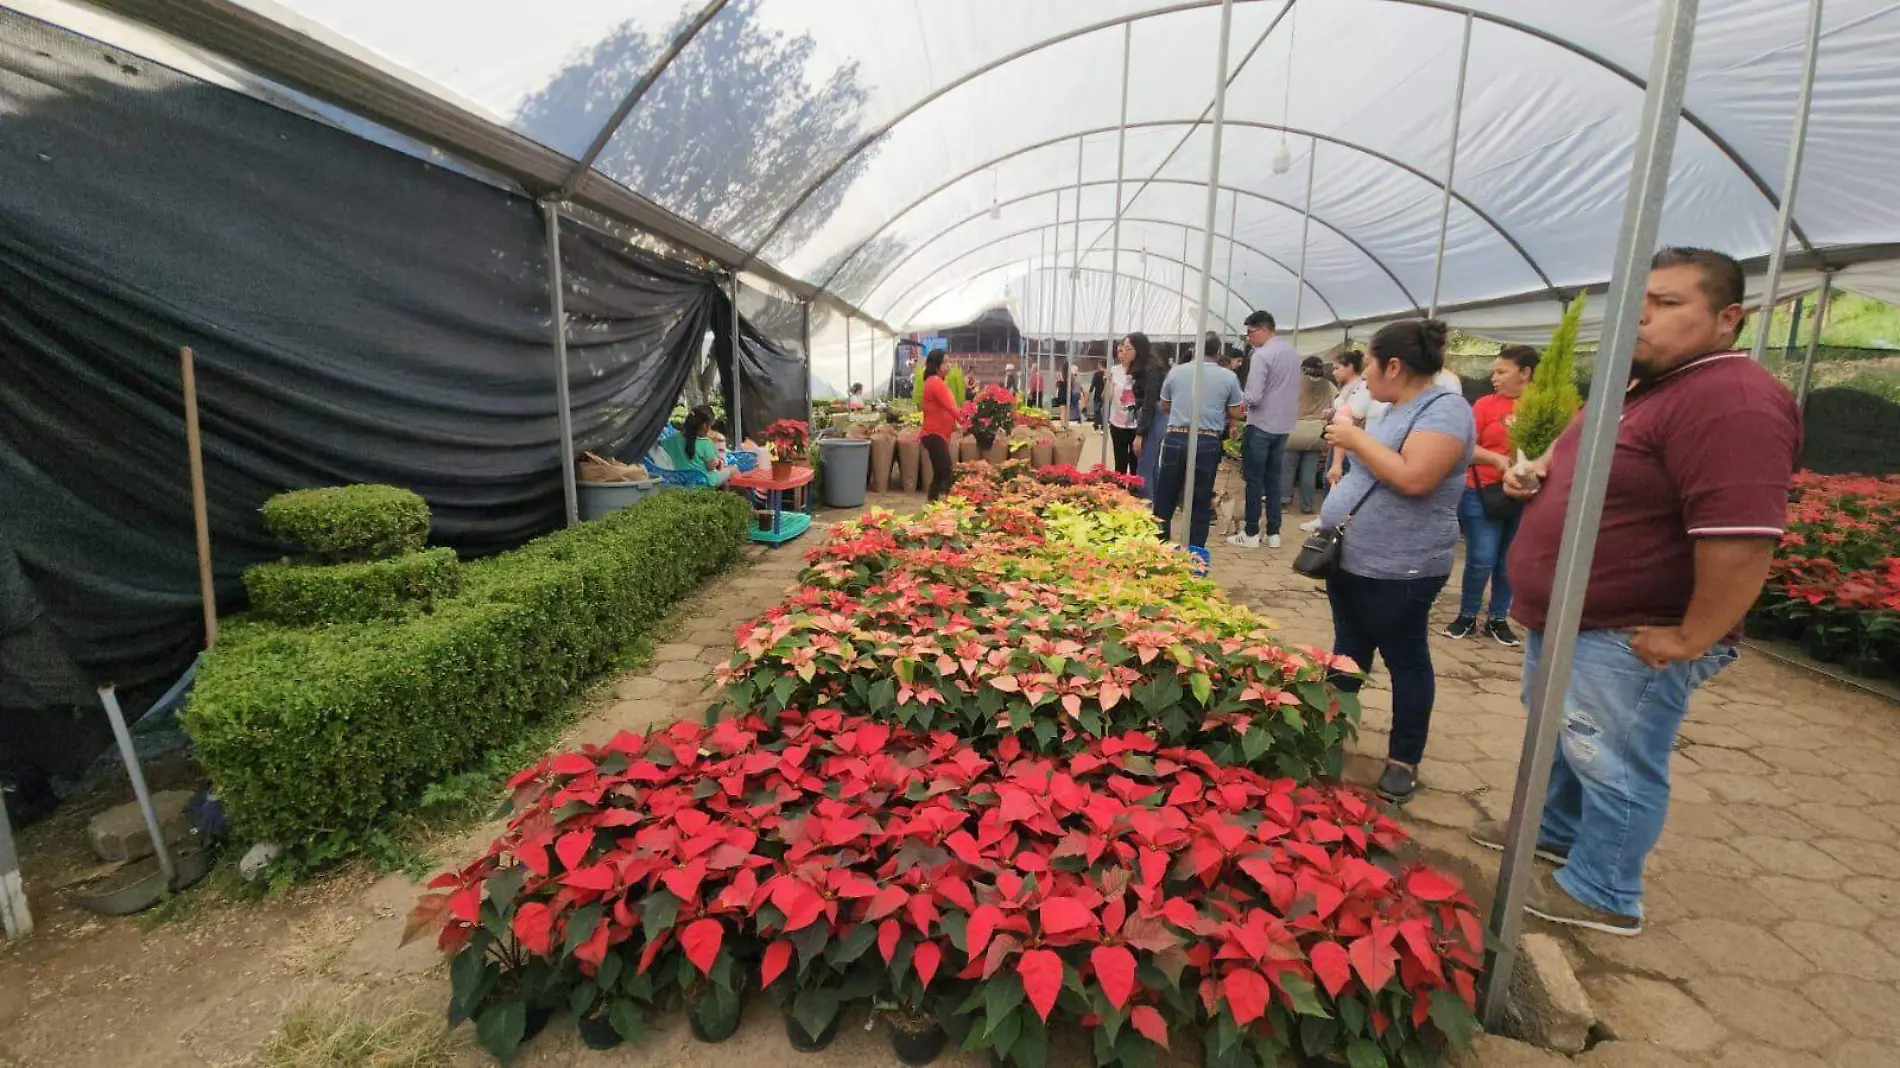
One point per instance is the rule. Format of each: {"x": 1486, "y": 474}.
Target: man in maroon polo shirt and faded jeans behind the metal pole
{"x": 1696, "y": 506}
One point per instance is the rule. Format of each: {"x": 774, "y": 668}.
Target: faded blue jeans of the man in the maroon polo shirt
{"x": 1610, "y": 782}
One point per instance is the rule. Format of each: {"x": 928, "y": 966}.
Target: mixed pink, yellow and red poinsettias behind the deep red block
{"x": 1038, "y": 609}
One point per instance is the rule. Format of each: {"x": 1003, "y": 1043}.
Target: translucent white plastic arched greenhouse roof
{"x": 854, "y": 149}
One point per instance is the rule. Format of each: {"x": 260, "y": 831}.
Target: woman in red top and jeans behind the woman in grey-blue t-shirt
{"x": 1489, "y": 539}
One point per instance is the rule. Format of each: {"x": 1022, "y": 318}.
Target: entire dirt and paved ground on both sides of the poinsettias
{"x": 1774, "y": 938}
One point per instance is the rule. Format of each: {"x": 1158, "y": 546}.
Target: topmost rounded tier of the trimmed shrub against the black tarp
{"x": 351, "y": 524}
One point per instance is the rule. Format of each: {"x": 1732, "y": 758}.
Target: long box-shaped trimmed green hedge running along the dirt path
{"x": 311, "y": 733}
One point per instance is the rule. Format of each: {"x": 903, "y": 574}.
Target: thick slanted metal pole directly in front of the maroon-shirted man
{"x": 1656, "y": 143}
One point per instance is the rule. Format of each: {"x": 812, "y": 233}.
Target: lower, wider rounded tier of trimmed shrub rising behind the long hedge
{"x": 303, "y": 594}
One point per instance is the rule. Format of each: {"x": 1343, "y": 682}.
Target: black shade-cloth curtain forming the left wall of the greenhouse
{"x": 356, "y": 315}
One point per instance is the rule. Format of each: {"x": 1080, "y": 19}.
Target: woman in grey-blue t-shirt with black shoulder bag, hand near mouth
{"x": 1401, "y": 495}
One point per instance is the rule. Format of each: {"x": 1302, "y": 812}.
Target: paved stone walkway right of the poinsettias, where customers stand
{"x": 1774, "y": 898}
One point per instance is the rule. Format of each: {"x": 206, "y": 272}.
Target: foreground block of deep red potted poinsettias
{"x": 1141, "y": 892}
